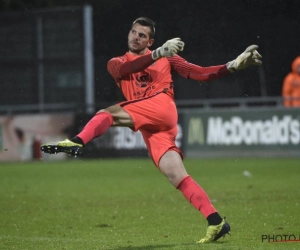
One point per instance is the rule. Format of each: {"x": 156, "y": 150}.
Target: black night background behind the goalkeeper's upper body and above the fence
{"x": 214, "y": 31}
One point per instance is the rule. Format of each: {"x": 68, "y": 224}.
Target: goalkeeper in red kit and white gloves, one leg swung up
{"x": 144, "y": 77}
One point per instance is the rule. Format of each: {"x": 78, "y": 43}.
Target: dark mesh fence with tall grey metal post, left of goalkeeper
{"x": 46, "y": 58}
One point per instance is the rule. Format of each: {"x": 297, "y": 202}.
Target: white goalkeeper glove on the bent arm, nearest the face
{"x": 170, "y": 48}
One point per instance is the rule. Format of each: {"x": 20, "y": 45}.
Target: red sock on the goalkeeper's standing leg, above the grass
{"x": 196, "y": 196}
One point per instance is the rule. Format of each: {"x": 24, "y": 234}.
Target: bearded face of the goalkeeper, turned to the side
{"x": 139, "y": 39}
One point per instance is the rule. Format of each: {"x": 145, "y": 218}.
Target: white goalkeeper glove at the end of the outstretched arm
{"x": 249, "y": 57}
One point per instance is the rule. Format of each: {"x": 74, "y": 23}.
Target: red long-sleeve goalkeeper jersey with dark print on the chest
{"x": 148, "y": 77}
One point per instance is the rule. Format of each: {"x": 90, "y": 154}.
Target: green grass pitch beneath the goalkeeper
{"x": 127, "y": 204}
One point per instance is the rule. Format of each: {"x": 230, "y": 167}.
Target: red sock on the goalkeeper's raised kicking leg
{"x": 96, "y": 127}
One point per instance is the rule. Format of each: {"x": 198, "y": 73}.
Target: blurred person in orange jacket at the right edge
{"x": 291, "y": 86}
